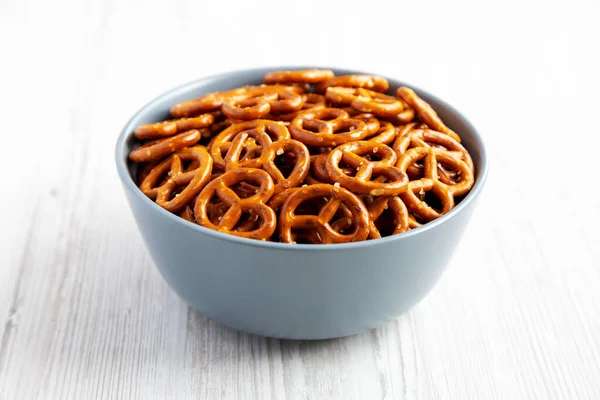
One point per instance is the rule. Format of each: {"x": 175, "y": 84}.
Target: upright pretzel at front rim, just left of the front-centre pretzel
{"x": 221, "y": 187}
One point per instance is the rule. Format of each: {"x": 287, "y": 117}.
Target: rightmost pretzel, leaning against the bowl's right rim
{"x": 432, "y": 157}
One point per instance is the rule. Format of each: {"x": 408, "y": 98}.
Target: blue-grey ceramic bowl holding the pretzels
{"x": 295, "y": 291}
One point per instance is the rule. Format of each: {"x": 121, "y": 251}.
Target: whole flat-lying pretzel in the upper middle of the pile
{"x": 326, "y": 127}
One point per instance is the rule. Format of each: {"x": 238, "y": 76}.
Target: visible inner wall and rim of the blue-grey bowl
{"x": 158, "y": 110}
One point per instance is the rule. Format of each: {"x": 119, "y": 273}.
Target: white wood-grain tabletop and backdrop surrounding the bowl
{"x": 85, "y": 315}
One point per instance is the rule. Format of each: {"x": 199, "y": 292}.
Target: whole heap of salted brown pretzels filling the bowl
{"x": 307, "y": 157}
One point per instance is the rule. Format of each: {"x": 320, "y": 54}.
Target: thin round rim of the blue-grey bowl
{"x": 127, "y": 180}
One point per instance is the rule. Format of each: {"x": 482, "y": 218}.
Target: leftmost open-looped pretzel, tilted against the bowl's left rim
{"x": 168, "y": 176}
